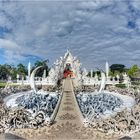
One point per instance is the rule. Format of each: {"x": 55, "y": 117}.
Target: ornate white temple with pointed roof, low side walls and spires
{"x": 79, "y": 75}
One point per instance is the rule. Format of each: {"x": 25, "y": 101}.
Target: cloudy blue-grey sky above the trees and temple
{"x": 94, "y": 31}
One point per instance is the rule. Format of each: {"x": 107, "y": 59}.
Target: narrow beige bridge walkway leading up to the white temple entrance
{"x": 69, "y": 109}
